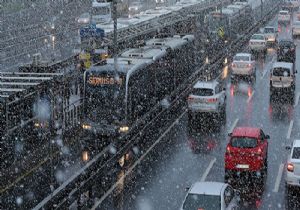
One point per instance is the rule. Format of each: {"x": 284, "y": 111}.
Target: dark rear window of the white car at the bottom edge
{"x": 207, "y": 202}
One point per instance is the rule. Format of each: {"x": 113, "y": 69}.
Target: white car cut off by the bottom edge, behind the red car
{"x": 211, "y": 196}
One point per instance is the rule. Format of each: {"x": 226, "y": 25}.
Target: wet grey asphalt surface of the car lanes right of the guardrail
{"x": 160, "y": 180}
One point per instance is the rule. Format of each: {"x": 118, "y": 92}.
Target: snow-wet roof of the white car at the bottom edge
{"x": 208, "y": 188}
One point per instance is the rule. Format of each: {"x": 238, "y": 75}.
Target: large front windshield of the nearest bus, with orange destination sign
{"x": 104, "y": 96}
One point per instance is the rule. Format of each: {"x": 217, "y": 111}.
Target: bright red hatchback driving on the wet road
{"x": 247, "y": 151}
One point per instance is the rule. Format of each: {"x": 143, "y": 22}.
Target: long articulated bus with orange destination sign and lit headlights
{"x": 144, "y": 76}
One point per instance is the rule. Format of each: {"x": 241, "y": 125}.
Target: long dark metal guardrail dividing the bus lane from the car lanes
{"x": 84, "y": 181}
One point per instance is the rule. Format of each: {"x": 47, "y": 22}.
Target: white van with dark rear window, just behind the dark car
{"x": 282, "y": 77}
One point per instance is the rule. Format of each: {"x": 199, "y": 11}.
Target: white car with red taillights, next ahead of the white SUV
{"x": 243, "y": 65}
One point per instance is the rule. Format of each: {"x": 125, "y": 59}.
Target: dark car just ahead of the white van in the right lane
{"x": 286, "y": 51}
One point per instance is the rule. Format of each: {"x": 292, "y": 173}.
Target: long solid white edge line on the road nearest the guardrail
{"x": 112, "y": 188}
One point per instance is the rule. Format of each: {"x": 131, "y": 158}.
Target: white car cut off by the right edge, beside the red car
{"x": 293, "y": 165}
